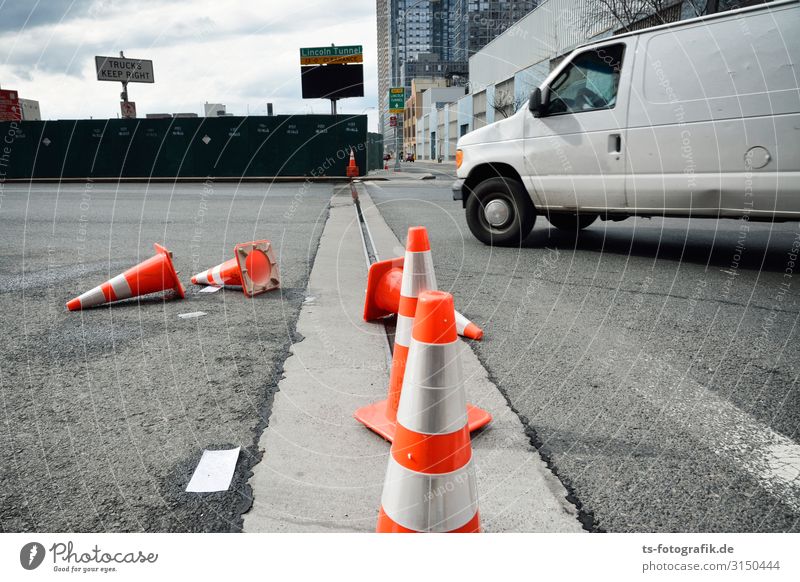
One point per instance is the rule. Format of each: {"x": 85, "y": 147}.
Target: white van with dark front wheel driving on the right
{"x": 699, "y": 118}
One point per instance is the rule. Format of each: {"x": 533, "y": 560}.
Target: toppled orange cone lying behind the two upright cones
{"x": 383, "y": 296}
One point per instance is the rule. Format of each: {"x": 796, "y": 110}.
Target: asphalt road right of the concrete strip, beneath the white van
{"x": 655, "y": 362}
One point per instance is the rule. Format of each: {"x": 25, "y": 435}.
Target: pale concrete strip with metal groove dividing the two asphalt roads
{"x": 322, "y": 470}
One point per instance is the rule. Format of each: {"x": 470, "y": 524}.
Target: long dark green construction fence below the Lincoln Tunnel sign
{"x": 171, "y": 148}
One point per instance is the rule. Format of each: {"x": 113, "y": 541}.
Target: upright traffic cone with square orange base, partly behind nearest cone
{"x": 417, "y": 276}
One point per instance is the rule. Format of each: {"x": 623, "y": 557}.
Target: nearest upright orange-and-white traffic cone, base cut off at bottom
{"x": 430, "y": 483}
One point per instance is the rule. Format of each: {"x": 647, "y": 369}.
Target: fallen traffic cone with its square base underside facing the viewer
{"x": 253, "y": 267}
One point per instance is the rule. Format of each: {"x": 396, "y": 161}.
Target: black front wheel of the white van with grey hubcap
{"x": 499, "y": 212}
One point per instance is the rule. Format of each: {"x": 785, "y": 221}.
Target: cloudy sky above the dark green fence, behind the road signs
{"x": 243, "y": 53}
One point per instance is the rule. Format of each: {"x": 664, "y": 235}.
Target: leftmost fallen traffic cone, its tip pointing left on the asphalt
{"x": 151, "y": 276}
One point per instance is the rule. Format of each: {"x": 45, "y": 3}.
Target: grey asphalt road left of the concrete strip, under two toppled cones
{"x": 104, "y": 413}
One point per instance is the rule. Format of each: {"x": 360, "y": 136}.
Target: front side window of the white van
{"x": 589, "y": 82}
